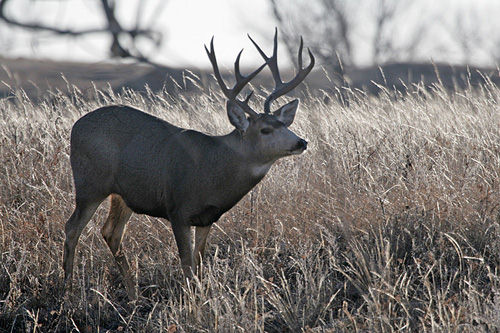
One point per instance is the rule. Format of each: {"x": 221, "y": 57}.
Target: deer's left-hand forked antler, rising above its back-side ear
{"x": 241, "y": 80}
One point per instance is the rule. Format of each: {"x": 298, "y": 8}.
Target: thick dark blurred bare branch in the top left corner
{"x": 123, "y": 40}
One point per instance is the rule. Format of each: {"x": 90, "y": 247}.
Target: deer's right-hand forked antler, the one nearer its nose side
{"x": 281, "y": 87}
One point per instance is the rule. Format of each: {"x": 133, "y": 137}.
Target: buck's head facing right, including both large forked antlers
{"x": 266, "y": 132}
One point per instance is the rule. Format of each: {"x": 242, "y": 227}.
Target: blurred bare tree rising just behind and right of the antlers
{"x": 331, "y": 26}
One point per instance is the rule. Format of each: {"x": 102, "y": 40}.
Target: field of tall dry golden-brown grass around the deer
{"x": 390, "y": 221}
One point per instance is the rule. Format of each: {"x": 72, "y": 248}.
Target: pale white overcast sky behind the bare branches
{"x": 187, "y": 25}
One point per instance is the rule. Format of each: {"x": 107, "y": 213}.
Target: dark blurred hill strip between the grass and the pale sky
{"x": 37, "y": 77}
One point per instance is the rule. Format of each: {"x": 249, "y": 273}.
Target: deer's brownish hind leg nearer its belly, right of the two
{"x": 112, "y": 231}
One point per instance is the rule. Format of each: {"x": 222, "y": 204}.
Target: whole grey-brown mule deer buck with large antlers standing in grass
{"x": 149, "y": 166}
